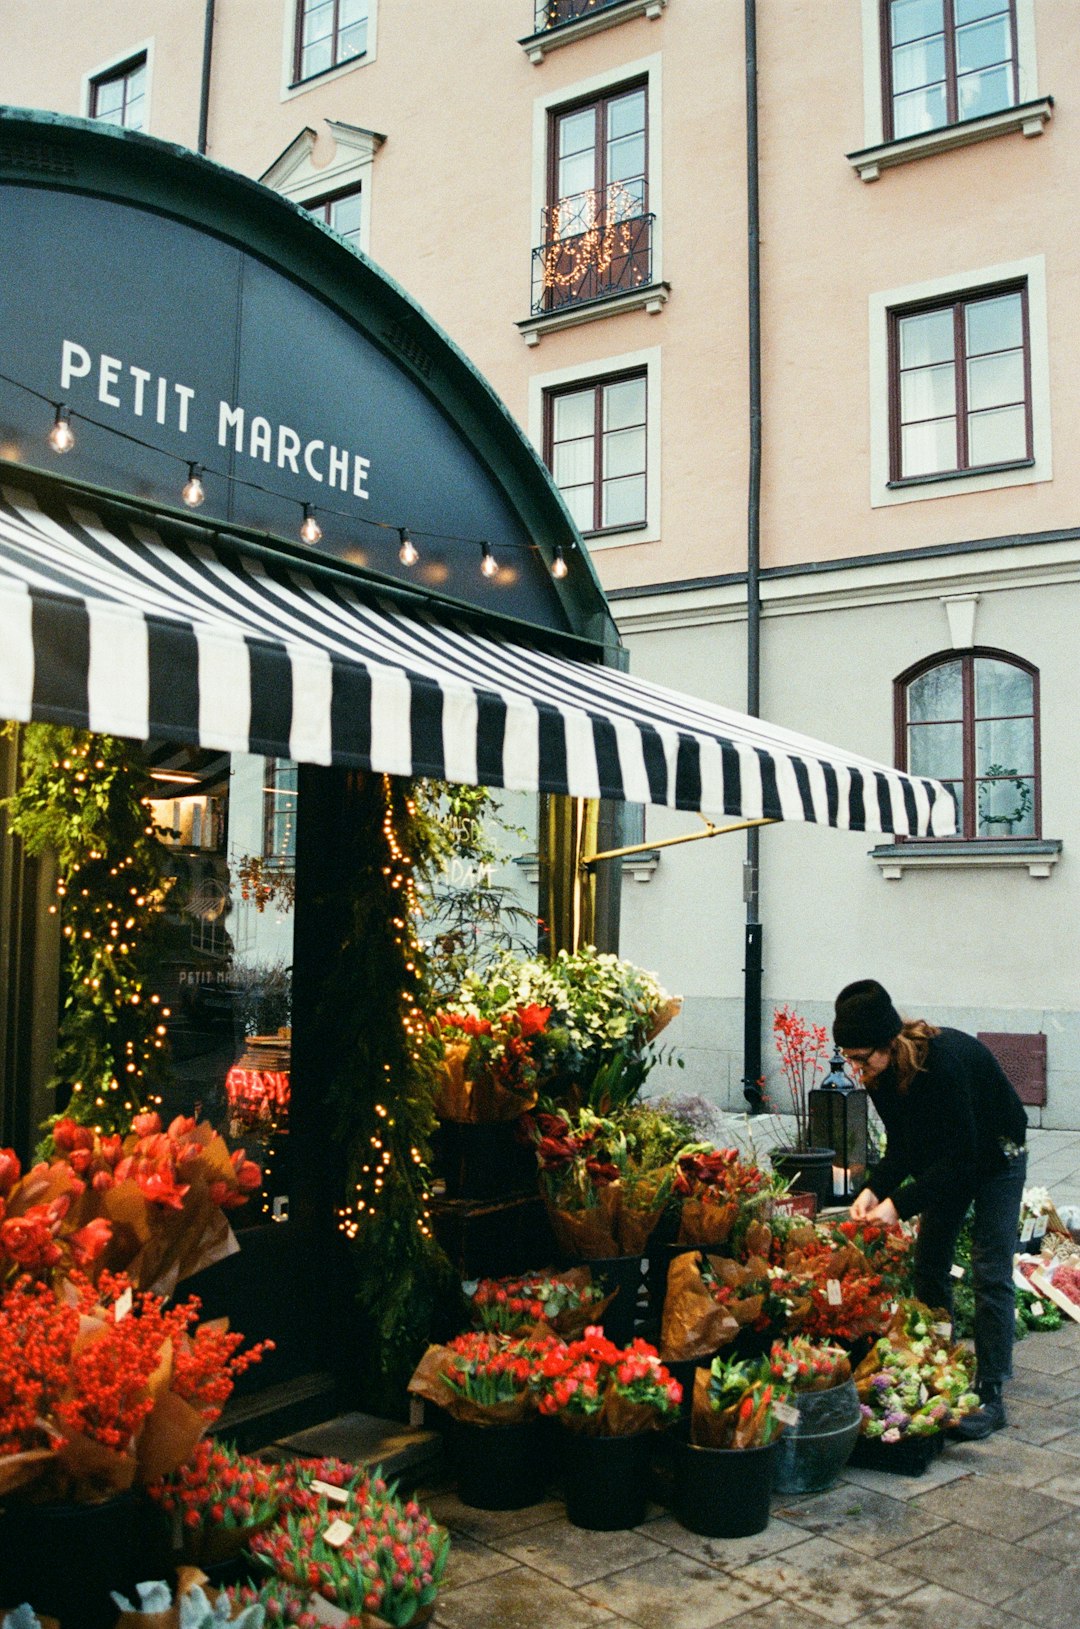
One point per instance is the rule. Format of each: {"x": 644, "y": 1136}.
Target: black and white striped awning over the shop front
{"x": 141, "y": 633}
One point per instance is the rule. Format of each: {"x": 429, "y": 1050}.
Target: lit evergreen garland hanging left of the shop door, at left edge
{"x": 84, "y": 797}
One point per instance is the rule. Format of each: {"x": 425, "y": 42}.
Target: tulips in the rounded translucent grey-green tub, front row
{"x": 817, "y": 1449}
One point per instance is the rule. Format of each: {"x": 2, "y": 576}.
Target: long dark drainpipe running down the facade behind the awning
{"x": 752, "y": 967}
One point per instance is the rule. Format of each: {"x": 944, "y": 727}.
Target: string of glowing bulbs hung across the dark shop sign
{"x": 63, "y": 439}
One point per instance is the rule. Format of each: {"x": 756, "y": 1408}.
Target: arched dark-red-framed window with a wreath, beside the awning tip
{"x": 972, "y": 719}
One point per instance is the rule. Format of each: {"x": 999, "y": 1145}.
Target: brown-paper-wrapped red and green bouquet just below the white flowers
{"x": 602, "y": 1201}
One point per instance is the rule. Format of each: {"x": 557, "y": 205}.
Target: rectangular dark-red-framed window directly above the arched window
{"x": 960, "y": 385}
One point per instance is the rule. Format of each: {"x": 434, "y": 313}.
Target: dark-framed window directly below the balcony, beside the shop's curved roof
{"x": 595, "y": 446}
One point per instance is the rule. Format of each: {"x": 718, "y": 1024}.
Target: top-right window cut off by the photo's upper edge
{"x": 947, "y": 61}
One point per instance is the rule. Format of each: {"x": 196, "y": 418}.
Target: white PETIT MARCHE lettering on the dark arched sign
{"x": 125, "y": 387}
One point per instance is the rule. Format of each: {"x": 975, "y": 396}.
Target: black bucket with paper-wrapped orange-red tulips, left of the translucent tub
{"x": 727, "y": 1451}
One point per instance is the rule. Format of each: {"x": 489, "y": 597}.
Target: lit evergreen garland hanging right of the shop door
{"x": 385, "y": 1092}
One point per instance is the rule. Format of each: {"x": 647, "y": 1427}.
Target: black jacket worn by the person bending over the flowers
{"x": 949, "y": 1128}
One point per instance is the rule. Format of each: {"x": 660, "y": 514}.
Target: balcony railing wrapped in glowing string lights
{"x": 592, "y": 253}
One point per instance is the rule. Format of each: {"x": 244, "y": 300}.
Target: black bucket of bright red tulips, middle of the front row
{"x": 608, "y": 1402}
